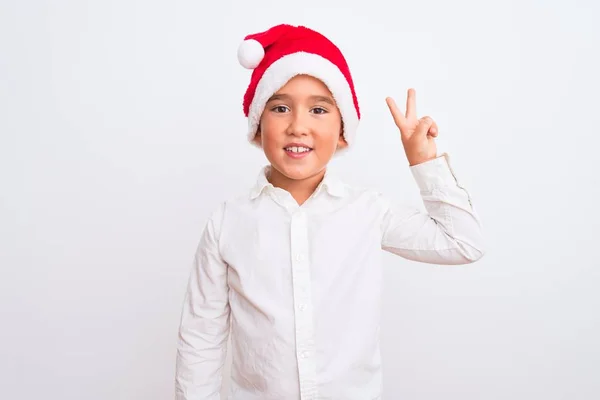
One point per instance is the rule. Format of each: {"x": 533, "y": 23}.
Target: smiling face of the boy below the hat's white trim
{"x": 303, "y": 113}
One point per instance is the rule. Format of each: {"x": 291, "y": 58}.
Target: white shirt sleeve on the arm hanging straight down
{"x": 204, "y": 324}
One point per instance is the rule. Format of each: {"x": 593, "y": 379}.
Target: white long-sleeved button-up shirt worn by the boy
{"x": 299, "y": 287}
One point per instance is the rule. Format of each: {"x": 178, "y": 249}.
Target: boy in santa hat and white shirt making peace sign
{"x": 293, "y": 266}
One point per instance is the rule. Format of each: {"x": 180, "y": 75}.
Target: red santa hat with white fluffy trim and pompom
{"x": 284, "y": 51}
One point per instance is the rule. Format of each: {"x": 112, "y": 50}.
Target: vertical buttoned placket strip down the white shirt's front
{"x": 303, "y": 315}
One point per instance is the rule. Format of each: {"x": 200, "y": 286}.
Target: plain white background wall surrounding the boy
{"x": 122, "y": 128}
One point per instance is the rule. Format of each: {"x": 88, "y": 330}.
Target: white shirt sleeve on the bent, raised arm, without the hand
{"x": 450, "y": 232}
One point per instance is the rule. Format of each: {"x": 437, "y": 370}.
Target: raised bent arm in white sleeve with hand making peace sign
{"x": 450, "y": 231}
